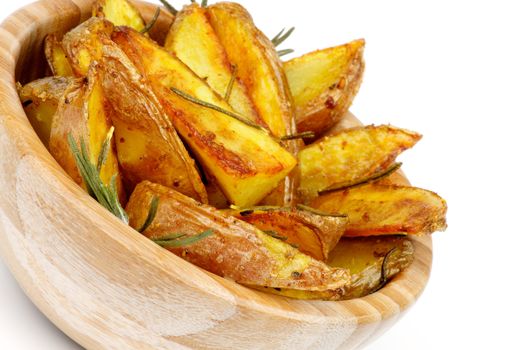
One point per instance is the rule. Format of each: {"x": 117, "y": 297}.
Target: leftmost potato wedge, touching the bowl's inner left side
{"x": 40, "y": 99}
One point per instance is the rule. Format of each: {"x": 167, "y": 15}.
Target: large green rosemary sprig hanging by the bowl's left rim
{"x": 106, "y": 195}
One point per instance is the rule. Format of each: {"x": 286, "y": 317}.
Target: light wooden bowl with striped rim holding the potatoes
{"x": 105, "y": 285}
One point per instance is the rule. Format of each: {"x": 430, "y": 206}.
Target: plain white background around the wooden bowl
{"x": 456, "y": 71}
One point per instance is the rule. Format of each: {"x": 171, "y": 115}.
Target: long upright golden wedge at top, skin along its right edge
{"x": 259, "y": 66}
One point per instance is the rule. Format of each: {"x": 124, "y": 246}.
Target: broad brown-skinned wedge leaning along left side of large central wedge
{"x": 148, "y": 147}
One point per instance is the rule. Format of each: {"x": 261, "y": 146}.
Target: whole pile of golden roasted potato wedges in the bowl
{"x": 211, "y": 131}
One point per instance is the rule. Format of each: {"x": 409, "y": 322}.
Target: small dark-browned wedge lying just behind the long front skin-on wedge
{"x": 313, "y": 234}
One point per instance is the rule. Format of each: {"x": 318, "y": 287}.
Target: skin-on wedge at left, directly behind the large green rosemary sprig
{"x": 83, "y": 113}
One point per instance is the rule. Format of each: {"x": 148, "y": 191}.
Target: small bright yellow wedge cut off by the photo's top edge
{"x": 119, "y": 12}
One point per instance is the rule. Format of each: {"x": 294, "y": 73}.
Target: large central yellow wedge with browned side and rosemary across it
{"x": 245, "y": 161}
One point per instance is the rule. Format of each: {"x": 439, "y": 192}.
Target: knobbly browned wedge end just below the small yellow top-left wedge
{"x": 83, "y": 44}
